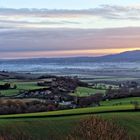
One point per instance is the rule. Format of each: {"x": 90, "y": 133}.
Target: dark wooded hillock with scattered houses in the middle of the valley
{"x": 58, "y": 86}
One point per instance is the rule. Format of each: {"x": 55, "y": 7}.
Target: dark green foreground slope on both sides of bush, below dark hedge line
{"x": 57, "y": 128}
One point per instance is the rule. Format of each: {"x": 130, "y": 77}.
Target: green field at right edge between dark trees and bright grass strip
{"x": 123, "y": 101}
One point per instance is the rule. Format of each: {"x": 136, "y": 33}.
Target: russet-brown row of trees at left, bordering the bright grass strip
{"x": 15, "y": 107}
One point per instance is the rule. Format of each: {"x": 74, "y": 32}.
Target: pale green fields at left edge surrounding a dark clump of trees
{"x": 20, "y": 86}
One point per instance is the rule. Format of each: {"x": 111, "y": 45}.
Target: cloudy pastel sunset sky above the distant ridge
{"x": 60, "y": 28}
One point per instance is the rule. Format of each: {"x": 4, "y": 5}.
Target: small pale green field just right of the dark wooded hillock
{"x": 84, "y": 91}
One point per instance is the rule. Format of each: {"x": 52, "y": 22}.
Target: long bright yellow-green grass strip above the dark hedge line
{"x": 80, "y": 111}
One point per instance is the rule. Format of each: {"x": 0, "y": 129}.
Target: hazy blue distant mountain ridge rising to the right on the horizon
{"x": 128, "y": 56}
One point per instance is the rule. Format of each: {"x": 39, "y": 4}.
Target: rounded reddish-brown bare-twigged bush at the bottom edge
{"x": 95, "y": 128}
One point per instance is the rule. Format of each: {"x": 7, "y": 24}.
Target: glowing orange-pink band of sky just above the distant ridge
{"x": 67, "y": 53}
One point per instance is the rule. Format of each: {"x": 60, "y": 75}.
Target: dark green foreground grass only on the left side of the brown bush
{"x": 43, "y": 128}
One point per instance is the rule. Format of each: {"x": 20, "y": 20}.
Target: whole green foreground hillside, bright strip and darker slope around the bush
{"x": 58, "y": 125}
